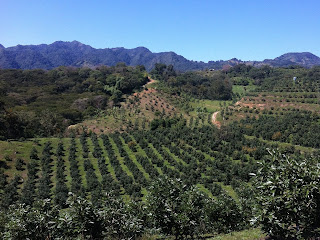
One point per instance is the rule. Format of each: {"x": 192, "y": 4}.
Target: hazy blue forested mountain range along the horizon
{"x": 48, "y": 56}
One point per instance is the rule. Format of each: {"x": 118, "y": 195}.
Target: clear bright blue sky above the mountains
{"x": 200, "y": 30}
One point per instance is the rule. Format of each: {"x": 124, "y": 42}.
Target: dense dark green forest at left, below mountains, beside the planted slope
{"x": 45, "y": 103}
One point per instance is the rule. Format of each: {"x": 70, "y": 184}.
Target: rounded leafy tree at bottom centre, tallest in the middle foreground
{"x": 175, "y": 208}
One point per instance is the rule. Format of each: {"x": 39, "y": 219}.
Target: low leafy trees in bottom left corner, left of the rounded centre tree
{"x": 81, "y": 220}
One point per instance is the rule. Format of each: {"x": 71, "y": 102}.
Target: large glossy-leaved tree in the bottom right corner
{"x": 288, "y": 197}
